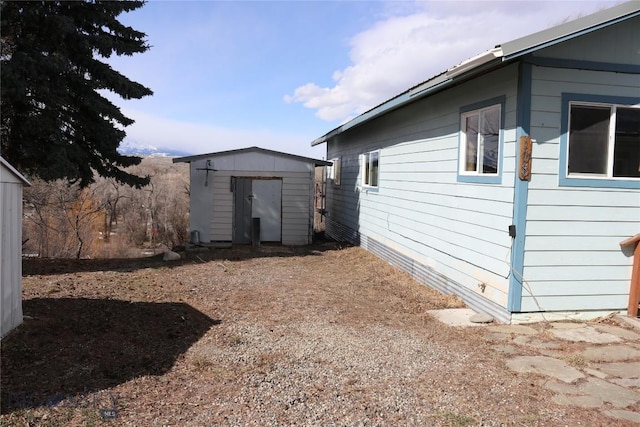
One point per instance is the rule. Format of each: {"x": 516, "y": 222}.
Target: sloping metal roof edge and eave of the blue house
{"x": 497, "y": 56}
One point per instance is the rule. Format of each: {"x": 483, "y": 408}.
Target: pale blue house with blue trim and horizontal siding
{"x": 509, "y": 179}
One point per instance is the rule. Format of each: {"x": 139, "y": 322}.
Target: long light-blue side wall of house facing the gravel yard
{"x": 420, "y": 210}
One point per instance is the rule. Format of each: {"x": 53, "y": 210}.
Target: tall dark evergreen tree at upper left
{"x": 55, "y": 124}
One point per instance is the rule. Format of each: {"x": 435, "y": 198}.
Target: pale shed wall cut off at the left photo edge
{"x": 10, "y": 250}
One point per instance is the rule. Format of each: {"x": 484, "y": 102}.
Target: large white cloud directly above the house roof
{"x": 402, "y": 51}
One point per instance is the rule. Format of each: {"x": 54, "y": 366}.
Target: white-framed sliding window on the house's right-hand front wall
{"x": 604, "y": 141}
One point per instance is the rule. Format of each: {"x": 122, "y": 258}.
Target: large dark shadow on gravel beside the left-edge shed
{"x": 68, "y": 347}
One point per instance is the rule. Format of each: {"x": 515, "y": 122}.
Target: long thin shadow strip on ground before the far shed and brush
{"x": 45, "y": 266}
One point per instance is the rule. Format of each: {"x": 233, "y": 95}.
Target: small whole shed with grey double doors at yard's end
{"x": 238, "y": 193}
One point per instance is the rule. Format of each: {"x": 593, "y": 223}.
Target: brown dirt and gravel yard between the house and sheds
{"x": 320, "y": 335}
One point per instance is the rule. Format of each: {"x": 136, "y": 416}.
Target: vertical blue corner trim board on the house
{"x": 521, "y": 191}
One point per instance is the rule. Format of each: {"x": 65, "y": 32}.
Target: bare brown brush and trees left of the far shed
{"x": 109, "y": 218}
